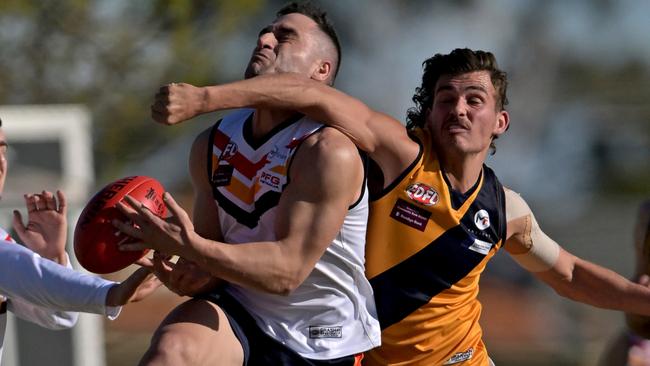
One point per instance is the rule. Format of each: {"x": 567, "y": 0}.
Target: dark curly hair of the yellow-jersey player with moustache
{"x": 459, "y": 61}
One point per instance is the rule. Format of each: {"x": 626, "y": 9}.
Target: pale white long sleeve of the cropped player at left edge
{"x": 47, "y": 293}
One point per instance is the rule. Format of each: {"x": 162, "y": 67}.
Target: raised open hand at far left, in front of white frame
{"x": 46, "y": 228}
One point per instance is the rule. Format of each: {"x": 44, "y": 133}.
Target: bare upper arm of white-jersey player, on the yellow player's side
{"x": 325, "y": 181}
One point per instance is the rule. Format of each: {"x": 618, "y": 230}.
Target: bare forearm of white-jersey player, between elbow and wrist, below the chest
{"x": 264, "y": 266}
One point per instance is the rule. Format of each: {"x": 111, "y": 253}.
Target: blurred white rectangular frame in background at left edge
{"x": 50, "y": 147}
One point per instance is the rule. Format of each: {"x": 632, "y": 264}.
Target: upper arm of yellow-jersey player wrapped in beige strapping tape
{"x": 530, "y": 246}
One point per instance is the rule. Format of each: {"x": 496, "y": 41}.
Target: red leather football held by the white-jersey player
{"x": 96, "y": 239}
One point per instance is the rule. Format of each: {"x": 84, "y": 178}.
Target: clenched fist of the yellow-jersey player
{"x": 177, "y": 102}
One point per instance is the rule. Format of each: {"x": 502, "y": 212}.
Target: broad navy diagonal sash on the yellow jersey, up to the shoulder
{"x": 407, "y": 286}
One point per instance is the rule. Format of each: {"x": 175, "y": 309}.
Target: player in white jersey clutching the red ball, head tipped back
{"x": 295, "y": 206}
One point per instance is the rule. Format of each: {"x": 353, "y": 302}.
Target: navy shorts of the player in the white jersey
{"x": 266, "y": 350}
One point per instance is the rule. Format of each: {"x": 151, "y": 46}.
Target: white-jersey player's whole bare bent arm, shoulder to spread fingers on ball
{"x": 309, "y": 215}
